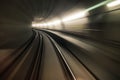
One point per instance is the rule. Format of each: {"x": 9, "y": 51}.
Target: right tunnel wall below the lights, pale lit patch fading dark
{"x": 102, "y": 23}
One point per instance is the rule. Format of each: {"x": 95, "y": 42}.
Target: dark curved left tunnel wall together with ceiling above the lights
{"x": 16, "y": 17}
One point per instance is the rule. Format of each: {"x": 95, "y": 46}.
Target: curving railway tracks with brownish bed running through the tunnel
{"x": 41, "y": 58}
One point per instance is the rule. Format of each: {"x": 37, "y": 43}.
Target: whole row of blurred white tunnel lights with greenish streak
{"x": 77, "y": 15}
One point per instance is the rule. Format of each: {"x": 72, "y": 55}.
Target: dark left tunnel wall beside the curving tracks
{"x": 15, "y": 23}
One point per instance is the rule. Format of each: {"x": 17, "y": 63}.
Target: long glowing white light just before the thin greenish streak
{"x": 75, "y": 16}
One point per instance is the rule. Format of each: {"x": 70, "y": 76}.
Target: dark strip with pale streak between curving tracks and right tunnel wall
{"x": 101, "y": 60}
